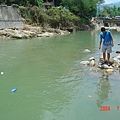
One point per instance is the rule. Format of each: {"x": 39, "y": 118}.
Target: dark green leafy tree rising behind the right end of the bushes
{"x": 84, "y": 8}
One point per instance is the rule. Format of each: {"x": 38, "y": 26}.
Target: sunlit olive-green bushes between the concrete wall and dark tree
{"x": 53, "y": 17}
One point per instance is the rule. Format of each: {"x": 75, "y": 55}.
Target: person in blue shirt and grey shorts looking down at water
{"x": 107, "y": 43}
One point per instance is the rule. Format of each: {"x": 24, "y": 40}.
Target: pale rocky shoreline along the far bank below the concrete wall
{"x": 28, "y": 31}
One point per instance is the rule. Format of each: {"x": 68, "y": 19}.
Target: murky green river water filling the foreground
{"x": 52, "y": 84}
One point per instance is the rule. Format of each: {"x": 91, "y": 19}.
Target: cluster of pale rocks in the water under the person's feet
{"x": 108, "y": 67}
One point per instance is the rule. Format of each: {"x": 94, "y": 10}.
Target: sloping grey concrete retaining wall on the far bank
{"x": 9, "y": 17}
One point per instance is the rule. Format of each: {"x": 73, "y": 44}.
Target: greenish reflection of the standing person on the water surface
{"x": 103, "y": 89}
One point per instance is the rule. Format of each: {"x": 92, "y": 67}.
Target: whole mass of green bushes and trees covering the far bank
{"x": 70, "y": 13}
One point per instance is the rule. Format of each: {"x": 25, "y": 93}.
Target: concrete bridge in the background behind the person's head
{"x": 111, "y": 22}
